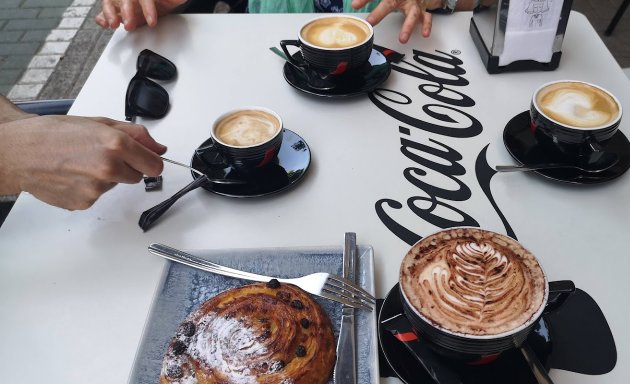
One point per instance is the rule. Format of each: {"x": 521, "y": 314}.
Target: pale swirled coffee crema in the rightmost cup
{"x": 577, "y": 104}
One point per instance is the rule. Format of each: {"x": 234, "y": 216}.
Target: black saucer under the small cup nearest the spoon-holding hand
{"x": 287, "y": 170}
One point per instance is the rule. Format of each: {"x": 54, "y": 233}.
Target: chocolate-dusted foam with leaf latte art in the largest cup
{"x": 473, "y": 282}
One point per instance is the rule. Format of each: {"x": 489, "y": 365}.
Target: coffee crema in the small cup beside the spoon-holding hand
{"x": 247, "y": 128}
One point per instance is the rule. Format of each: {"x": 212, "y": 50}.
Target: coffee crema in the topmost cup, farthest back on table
{"x": 335, "y": 32}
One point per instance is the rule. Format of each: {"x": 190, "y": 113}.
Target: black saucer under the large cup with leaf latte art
{"x": 509, "y": 367}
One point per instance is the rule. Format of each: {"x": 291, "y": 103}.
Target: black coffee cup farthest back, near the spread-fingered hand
{"x": 333, "y": 44}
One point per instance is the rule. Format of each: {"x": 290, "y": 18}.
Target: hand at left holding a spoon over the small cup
{"x": 70, "y": 161}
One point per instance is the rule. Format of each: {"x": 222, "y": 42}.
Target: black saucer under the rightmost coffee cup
{"x": 523, "y": 146}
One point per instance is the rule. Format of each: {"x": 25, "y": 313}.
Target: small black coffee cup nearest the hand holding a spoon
{"x": 246, "y": 139}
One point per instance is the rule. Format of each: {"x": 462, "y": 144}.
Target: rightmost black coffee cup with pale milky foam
{"x": 573, "y": 119}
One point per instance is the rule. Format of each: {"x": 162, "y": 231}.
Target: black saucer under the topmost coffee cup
{"x": 352, "y": 83}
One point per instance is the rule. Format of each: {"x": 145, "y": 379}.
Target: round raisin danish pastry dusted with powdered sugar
{"x": 259, "y": 333}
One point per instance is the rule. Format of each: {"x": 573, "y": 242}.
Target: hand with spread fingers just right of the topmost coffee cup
{"x": 415, "y": 12}
